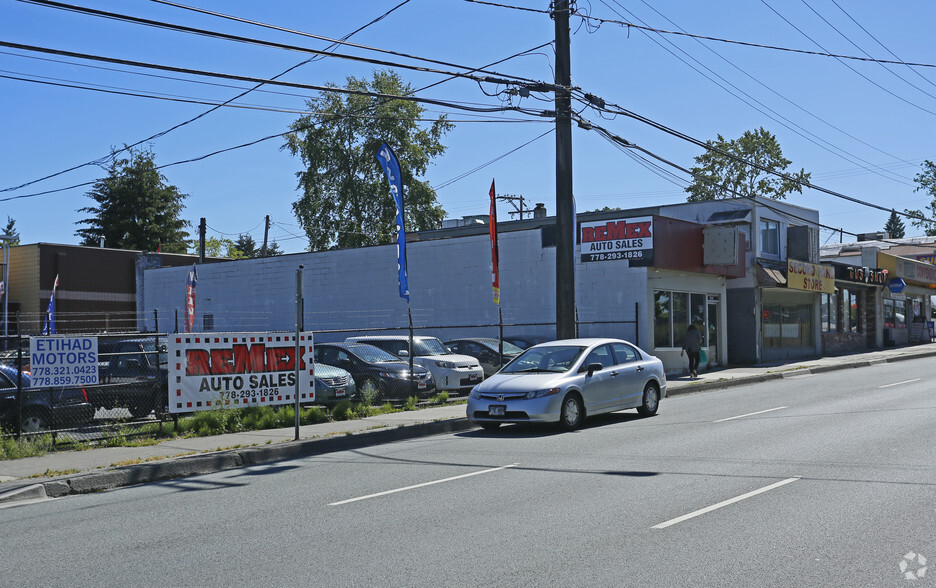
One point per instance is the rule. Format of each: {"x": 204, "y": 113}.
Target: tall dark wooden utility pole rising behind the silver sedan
{"x": 565, "y": 263}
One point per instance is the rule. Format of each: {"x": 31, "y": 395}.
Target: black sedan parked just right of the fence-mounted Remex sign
{"x": 380, "y": 376}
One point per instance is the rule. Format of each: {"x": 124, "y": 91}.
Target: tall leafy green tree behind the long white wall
{"x": 345, "y": 201}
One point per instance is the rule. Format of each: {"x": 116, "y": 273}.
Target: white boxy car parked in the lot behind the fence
{"x": 452, "y": 372}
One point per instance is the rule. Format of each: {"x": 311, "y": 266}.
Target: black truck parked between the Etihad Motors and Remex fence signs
{"x": 133, "y": 374}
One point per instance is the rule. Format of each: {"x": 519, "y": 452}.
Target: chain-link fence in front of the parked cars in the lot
{"x": 133, "y": 371}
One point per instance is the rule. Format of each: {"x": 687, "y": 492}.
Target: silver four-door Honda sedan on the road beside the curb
{"x": 565, "y": 381}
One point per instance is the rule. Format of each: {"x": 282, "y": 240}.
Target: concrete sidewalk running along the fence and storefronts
{"x": 71, "y": 472}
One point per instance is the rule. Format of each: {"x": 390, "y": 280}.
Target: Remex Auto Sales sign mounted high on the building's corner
{"x": 630, "y": 239}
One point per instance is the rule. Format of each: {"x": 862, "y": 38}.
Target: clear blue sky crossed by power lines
{"x": 861, "y": 128}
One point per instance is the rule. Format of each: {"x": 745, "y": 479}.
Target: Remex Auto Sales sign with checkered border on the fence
{"x": 210, "y": 370}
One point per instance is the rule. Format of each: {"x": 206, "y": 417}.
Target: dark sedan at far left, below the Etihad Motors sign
{"x": 43, "y": 408}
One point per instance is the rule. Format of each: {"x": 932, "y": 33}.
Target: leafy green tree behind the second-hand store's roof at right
{"x": 718, "y": 176}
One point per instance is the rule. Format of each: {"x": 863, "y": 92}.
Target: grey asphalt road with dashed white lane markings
{"x": 819, "y": 480}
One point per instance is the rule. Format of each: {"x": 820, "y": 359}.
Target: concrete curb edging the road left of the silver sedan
{"x": 182, "y": 467}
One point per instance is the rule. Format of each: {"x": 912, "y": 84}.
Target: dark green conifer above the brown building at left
{"x": 136, "y": 208}
